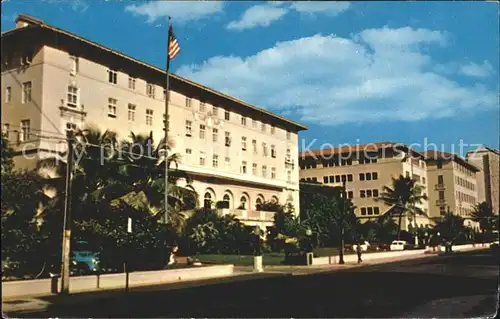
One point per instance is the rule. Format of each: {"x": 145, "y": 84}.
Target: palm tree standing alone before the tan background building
{"x": 403, "y": 197}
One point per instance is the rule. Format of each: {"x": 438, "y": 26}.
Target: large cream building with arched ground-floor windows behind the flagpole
{"x": 54, "y": 80}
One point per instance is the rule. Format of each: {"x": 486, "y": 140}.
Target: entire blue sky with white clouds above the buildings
{"x": 356, "y": 72}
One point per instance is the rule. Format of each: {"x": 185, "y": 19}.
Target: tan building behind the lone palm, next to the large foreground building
{"x": 366, "y": 169}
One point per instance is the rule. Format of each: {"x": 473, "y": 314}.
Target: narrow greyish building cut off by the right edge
{"x": 488, "y": 178}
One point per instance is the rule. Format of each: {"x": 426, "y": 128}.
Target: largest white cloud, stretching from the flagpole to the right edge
{"x": 376, "y": 75}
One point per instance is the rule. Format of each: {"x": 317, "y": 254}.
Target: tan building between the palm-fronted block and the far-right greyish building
{"x": 452, "y": 185}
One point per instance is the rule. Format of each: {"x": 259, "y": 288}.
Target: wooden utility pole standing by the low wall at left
{"x": 66, "y": 240}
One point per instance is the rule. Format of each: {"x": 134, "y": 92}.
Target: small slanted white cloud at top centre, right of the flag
{"x": 259, "y": 15}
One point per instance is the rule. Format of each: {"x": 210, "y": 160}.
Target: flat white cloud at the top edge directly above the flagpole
{"x": 180, "y": 11}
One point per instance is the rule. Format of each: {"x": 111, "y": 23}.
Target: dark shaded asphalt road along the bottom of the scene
{"x": 456, "y": 286}
